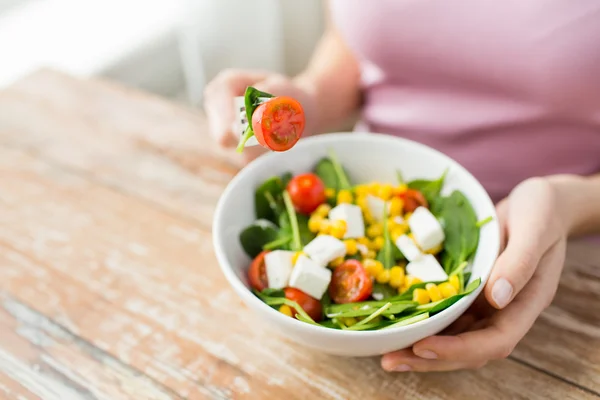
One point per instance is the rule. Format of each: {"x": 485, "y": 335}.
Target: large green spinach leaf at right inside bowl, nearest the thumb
{"x": 460, "y": 228}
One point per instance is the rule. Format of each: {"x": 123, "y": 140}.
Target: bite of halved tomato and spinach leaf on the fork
{"x": 276, "y": 122}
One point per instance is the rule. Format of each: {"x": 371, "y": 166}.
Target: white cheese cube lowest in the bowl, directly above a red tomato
{"x": 310, "y": 277}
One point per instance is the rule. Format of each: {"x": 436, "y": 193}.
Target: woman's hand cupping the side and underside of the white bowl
{"x": 522, "y": 284}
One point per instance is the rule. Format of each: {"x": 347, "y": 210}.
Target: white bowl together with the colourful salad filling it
{"x": 356, "y": 244}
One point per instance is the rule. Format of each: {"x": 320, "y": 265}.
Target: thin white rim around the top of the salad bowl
{"x": 293, "y": 323}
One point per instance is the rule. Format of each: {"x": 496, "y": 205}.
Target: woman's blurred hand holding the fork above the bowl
{"x": 219, "y": 103}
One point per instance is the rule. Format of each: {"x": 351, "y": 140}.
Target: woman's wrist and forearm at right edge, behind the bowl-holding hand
{"x": 578, "y": 201}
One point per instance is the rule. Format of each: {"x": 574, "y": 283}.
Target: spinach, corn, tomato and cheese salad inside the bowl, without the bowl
{"x": 362, "y": 256}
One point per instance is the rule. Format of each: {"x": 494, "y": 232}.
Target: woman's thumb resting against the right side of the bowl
{"x": 530, "y": 234}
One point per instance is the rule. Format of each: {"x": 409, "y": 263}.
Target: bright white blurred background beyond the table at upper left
{"x": 168, "y": 47}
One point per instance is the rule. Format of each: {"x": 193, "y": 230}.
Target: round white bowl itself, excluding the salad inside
{"x": 367, "y": 157}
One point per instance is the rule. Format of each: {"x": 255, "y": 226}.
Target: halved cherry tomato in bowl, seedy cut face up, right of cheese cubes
{"x": 350, "y": 283}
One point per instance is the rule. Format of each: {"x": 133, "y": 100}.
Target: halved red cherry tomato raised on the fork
{"x": 278, "y": 123}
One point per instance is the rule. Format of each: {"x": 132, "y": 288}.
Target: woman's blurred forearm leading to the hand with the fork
{"x": 332, "y": 78}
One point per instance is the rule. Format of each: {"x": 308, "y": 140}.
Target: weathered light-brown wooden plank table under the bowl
{"x": 110, "y": 288}
